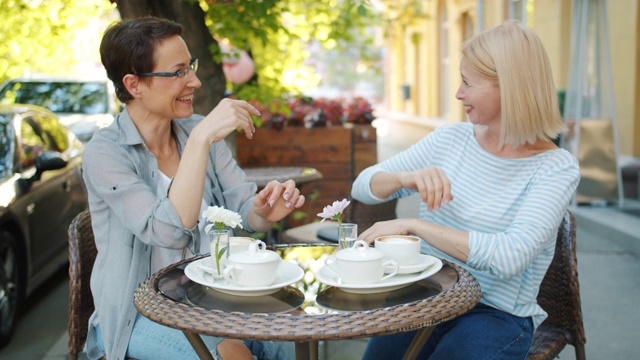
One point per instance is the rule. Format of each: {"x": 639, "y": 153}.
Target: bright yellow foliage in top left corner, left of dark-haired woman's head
{"x": 47, "y": 36}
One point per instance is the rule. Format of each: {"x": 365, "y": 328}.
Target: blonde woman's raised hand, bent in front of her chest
{"x": 432, "y": 184}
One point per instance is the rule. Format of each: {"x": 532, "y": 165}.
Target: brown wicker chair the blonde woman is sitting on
{"x": 560, "y": 297}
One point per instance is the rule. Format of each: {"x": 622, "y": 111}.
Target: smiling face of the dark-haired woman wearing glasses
{"x": 170, "y": 97}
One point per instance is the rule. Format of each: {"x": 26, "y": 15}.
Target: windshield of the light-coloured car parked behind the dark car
{"x": 59, "y": 96}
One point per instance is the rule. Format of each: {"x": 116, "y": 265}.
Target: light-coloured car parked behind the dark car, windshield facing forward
{"x": 82, "y": 105}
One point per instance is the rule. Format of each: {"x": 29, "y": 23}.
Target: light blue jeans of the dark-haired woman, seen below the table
{"x": 150, "y": 340}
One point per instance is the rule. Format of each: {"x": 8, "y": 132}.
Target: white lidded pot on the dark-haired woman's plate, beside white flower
{"x": 254, "y": 267}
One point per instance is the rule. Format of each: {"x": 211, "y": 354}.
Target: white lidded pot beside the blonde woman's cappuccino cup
{"x": 360, "y": 264}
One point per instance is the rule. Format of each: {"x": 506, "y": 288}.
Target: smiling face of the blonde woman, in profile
{"x": 480, "y": 96}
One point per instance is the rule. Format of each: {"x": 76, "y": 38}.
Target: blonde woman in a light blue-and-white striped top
{"x": 494, "y": 191}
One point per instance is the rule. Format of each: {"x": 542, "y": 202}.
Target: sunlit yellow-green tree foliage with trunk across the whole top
{"x": 286, "y": 38}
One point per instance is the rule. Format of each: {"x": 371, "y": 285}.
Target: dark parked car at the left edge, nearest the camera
{"x": 41, "y": 191}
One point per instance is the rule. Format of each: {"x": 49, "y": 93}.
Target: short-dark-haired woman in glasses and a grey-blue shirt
{"x": 149, "y": 177}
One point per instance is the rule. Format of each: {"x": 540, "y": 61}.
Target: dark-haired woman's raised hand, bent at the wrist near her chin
{"x": 225, "y": 118}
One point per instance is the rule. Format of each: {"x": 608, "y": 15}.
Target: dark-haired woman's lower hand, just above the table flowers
{"x": 277, "y": 200}
